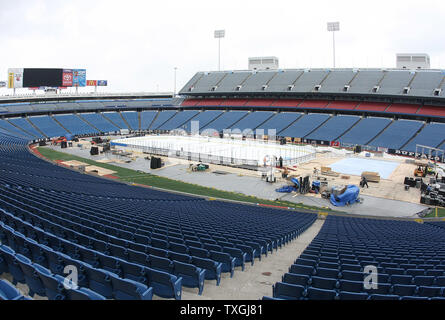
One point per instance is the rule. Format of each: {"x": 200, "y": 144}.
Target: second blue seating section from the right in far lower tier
{"x": 397, "y": 134}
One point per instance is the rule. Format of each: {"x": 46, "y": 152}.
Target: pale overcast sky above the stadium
{"x": 135, "y": 44}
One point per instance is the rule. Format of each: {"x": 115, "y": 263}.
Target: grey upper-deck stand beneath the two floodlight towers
{"x": 360, "y": 81}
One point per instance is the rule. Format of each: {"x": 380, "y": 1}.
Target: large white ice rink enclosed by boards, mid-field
{"x": 252, "y": 152}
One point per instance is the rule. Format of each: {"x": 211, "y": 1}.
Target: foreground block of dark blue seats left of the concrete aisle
{"x": 136, "y": 243}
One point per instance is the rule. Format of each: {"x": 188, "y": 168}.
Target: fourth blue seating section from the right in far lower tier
{"x": 333, "y": 128}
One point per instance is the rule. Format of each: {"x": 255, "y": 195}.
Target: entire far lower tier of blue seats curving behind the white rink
{"x": 349, "y": 130}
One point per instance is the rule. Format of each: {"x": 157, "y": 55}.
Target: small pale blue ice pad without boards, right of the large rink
{"x": 355, "y": 166}
